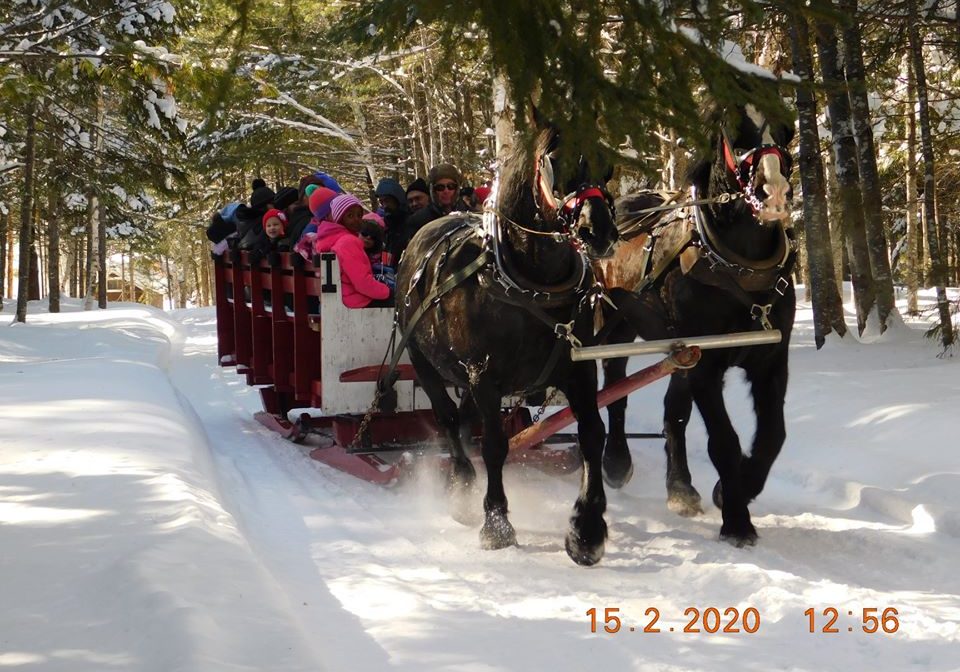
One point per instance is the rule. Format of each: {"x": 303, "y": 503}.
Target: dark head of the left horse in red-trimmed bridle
{"x": 571, "y": 195}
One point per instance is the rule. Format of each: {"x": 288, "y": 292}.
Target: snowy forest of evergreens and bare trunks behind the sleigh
{"x": 125, "y": 124}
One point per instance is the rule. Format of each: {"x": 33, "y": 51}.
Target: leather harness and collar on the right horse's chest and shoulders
{"x": 702, "y": 256}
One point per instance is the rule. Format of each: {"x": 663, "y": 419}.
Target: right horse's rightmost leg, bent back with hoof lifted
{"x": 769, "y": 387}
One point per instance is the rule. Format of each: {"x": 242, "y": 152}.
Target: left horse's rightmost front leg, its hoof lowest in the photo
{"x": 588, "y": 529}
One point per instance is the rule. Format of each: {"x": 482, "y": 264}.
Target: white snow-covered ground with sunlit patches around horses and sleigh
{"x": 147, "y": 522}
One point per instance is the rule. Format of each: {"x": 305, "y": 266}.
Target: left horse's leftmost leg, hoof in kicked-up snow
{"x": 462, "y": 474}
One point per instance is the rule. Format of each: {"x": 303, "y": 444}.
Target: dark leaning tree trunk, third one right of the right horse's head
{"x": 877, "y": 248}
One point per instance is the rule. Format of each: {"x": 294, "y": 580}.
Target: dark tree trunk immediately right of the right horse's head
{"x": 827, "y": 305}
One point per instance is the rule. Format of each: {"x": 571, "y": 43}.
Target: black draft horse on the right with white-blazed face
{"x": 720, "y": 267}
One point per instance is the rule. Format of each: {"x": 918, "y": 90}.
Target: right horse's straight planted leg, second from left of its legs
{"x": 682, "y": 497}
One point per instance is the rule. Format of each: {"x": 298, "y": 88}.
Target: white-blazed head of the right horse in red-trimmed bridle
{"x": 752, "y": 154}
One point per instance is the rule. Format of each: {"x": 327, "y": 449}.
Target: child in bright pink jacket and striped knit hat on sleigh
{"x": 339, "y": 235}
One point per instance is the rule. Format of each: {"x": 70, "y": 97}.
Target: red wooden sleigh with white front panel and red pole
{"x": 282, "y": 324}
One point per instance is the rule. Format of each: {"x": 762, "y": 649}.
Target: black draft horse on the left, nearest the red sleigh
{"x": 500, "y": 305}
